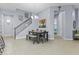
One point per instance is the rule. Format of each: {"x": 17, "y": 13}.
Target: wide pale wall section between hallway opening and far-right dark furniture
{"x": 65, "y": 23}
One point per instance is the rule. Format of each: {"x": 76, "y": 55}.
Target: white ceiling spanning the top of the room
{"x": 31, "y": 7}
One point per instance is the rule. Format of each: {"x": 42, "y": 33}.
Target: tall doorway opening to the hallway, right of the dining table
{"x": 58, "y": 24}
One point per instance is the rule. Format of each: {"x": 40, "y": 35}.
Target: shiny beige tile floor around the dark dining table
{"x": 57, "y": 46}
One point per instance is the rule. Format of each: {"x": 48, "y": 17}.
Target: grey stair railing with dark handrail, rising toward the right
{"x": 22, "y": 26}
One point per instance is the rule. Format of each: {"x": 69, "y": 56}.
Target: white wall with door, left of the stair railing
{"x": 8, "y": 29}
